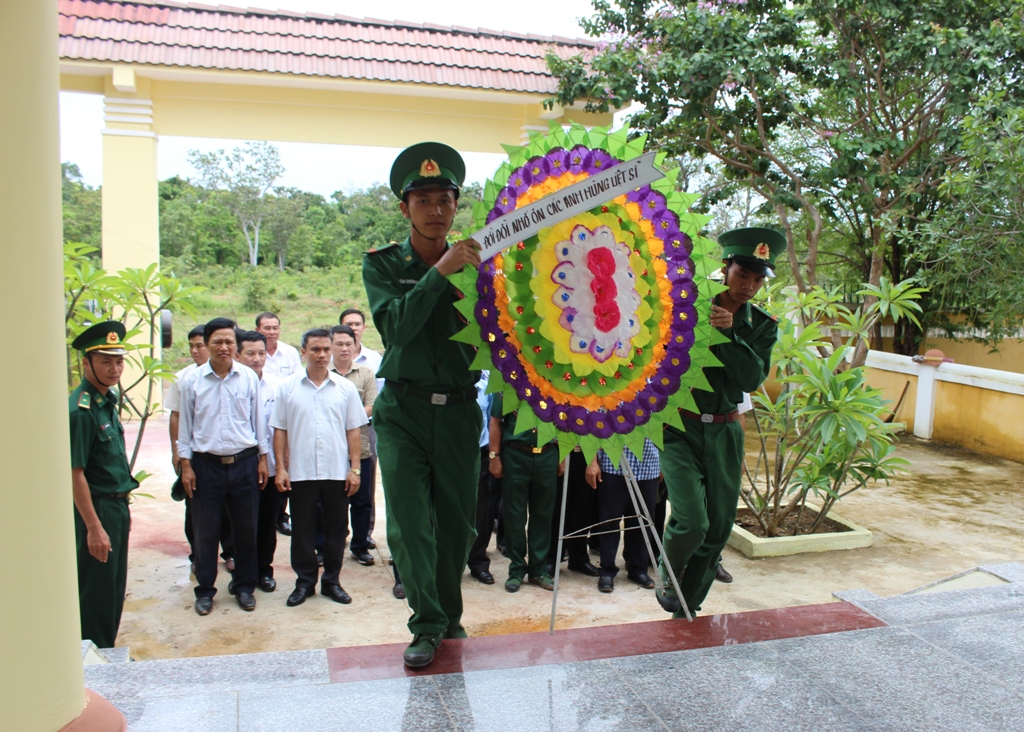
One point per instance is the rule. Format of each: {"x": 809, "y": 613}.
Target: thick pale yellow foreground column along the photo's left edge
{"x": 40, "y": 664}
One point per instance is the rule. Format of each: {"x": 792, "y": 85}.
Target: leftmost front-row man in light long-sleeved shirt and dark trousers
{"x": 224, "y": 444}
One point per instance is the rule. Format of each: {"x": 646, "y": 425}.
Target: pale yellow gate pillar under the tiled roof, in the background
{"x": 132, "y": 208}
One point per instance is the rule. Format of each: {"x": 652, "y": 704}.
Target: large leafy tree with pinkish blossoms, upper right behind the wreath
{"x": 843, "y": 116}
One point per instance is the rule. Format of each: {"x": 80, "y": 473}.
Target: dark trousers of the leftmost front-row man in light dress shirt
{"x": 233, "y": 490}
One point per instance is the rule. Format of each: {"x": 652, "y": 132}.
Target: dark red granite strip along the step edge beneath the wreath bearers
{"x": 578, "y": 644}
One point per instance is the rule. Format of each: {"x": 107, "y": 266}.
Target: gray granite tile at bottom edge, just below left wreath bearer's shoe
{"x": 400, "y": 705}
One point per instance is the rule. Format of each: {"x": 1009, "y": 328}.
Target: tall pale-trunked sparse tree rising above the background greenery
{"x": 246, "y": 177}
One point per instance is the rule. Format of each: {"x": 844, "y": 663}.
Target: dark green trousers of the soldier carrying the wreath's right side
{"x": 703, "y": 468}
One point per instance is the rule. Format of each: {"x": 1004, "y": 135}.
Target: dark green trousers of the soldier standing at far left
{"x": 102, "y": 585}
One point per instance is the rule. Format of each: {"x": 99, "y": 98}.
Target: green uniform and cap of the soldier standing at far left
{"x": 98, "y": 446}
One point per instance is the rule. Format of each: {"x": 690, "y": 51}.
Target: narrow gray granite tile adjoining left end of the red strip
{"x": 210, "y": 674}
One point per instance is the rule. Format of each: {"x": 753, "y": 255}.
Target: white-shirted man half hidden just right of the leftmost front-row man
{"x": 252, "y": 353}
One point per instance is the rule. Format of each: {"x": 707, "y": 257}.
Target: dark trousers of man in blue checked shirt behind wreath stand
{"x": 614, "y": 502}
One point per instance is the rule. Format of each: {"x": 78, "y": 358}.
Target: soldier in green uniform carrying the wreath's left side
{"x": 428, "y": 420}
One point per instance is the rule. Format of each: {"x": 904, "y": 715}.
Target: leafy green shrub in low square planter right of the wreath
{"x": 826, "y": 435}
